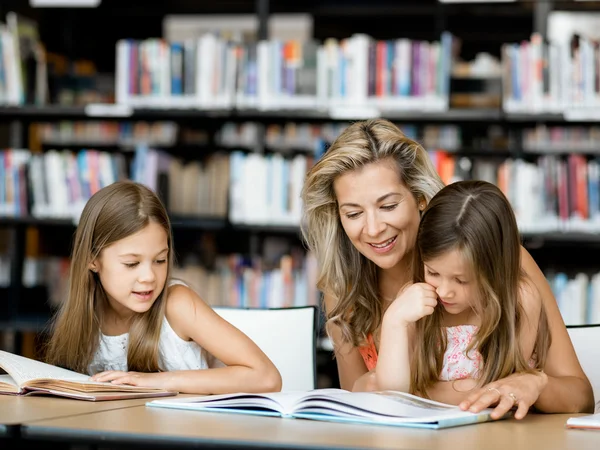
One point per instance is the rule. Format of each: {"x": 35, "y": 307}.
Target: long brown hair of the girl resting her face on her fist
{"x": 476, "y": 219}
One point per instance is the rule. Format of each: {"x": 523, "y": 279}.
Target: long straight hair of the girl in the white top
{"x": 111, "y": 214}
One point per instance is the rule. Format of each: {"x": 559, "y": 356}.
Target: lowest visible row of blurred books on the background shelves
{"x": 283, "y": 281}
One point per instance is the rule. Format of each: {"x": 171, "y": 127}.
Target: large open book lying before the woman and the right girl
{"x": 336, "y": 405}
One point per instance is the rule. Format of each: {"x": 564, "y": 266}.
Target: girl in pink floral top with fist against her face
{"x": 472, "y": 316}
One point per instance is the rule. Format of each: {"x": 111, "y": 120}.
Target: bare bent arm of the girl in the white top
{"x": 247, "y": 368}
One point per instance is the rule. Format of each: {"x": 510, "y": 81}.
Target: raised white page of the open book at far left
{"x": 23, "y": 369}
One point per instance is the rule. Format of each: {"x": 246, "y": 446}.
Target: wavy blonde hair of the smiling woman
{"x": 343, "y": 271}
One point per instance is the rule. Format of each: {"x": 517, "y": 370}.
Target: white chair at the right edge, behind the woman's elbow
{"x": 585, "y": 339}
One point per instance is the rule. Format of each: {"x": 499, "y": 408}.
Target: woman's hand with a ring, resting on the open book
{"x": 519, "y": 390}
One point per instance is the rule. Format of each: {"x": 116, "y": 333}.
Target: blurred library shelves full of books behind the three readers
{"x": 217, "y": 126}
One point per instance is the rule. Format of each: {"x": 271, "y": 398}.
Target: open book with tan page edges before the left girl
{"x": 27, "y": 376}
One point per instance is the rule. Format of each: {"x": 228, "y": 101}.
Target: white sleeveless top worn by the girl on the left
{"x": 174, "y": 352}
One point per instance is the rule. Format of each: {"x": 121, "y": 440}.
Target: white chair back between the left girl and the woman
{"x": 288, "y": 336}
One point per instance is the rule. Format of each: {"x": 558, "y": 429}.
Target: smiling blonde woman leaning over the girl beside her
{"x": 363, "y": 201}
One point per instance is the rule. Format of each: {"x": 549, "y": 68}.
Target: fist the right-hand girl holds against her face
{"x": 416, "y": 301}
